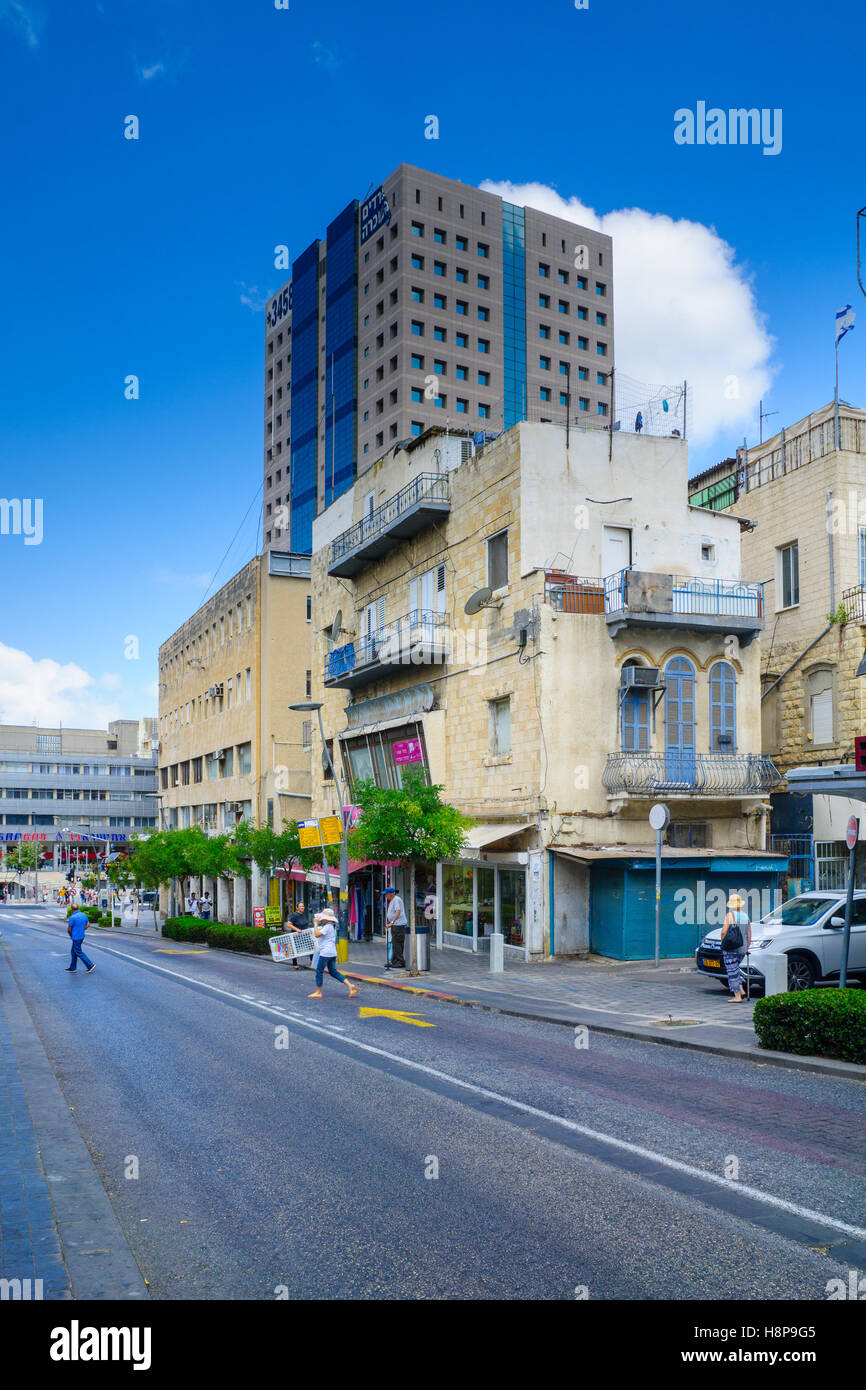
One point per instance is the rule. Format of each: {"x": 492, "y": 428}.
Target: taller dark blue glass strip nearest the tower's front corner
{"x": 341, "y": 347}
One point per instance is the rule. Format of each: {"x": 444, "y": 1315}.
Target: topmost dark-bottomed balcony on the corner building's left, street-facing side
{"x": 423, "y": 501}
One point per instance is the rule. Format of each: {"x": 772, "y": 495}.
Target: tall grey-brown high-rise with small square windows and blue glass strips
{"x": 427, "y": 304}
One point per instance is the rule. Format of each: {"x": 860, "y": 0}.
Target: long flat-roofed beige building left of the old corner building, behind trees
{"x": 230, "y": 747}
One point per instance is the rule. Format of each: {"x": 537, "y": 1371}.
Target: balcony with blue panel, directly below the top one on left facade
{"x": 422, "y": 639}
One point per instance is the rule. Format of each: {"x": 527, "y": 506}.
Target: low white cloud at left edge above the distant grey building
{"x": 49, "y": 693}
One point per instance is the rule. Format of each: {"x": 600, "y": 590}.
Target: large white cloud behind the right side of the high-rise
{"x": 685, "y": 309}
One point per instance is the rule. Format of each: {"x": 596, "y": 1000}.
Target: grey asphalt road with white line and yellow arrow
{"x": 286, "y": 1145}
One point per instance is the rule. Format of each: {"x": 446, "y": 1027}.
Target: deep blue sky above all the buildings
{"x": 256, "y": 127}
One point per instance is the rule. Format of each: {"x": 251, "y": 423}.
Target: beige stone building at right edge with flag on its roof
{"x": 806, "y": 501}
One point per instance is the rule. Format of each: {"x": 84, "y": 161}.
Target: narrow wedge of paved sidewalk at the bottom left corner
{"x": 56, "y": 1221}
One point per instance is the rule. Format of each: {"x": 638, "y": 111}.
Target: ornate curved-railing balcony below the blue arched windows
{"x": 644, "y": 775}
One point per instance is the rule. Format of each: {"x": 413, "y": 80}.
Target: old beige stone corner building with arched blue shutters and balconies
{"x": 612, "y": 667}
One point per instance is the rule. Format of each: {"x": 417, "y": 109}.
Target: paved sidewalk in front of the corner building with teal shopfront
{"x": 672, "y": 1004}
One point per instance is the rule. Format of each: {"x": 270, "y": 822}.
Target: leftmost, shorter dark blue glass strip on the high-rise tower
{"x": 305, "y": 397}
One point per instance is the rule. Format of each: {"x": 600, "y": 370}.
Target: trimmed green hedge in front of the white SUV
{"x": 815, "y": 1024}
